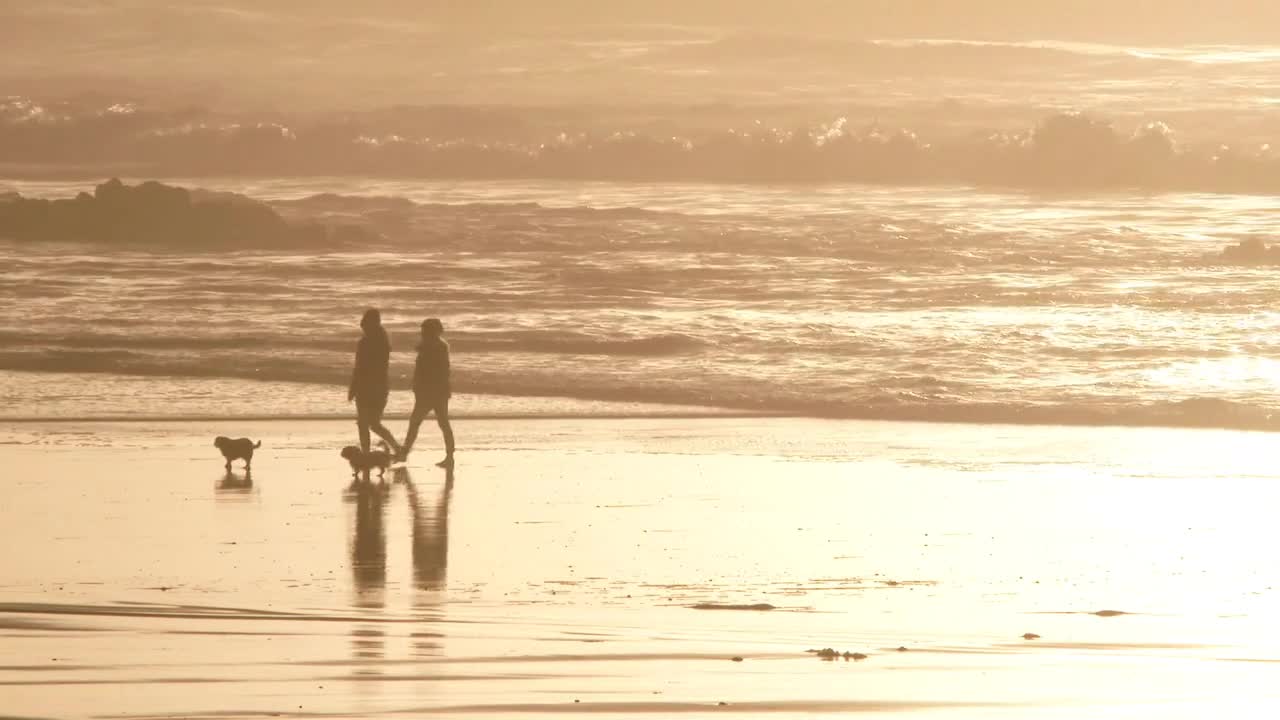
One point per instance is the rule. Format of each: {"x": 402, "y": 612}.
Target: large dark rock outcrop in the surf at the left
{"x": 159, "y": 216}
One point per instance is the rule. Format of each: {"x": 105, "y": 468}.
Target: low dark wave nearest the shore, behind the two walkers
{"x": 833, "y": 403}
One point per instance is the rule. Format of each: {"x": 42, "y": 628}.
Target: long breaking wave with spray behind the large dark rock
{"x": 1067, "y": 151}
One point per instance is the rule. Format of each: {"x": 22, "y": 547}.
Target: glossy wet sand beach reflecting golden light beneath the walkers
{"x": 620, "y": 568}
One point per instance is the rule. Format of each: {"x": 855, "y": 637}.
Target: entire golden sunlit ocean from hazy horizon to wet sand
{"x": 705, "y": 220}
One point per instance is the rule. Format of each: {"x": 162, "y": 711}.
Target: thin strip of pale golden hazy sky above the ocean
{"x": 1135, "y": 21}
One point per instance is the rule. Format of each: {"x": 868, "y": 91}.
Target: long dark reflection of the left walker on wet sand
{"x": 369, "y": 572}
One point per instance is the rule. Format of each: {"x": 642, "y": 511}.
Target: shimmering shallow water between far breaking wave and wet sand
{"x": 833, "y": 300}
